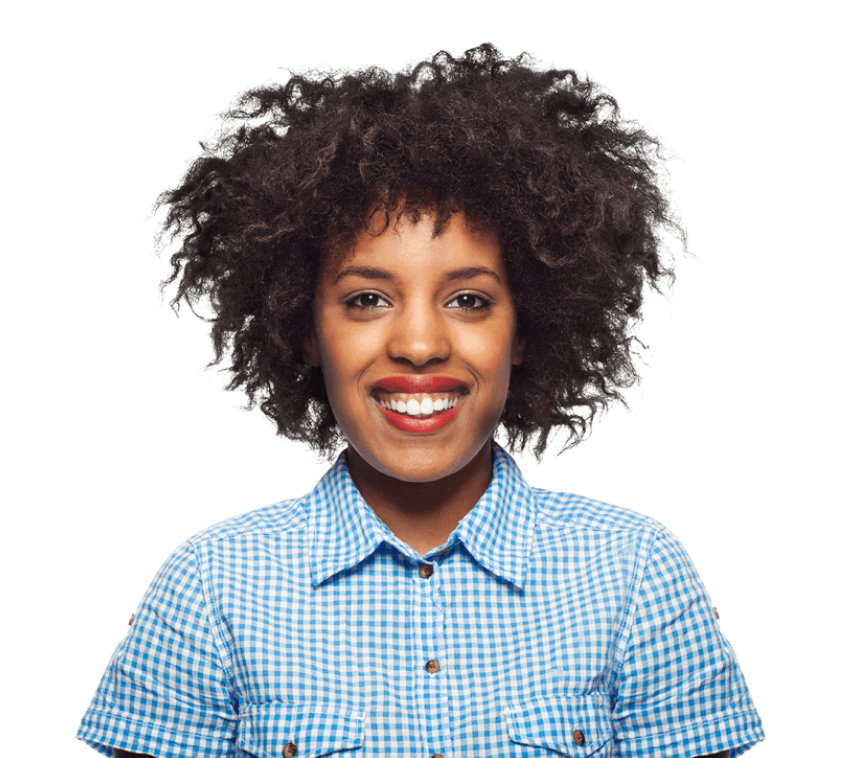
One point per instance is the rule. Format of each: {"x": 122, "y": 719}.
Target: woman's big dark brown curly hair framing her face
{"x": 578, "y": 193}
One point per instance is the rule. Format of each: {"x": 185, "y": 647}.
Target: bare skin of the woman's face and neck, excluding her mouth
{"x": 419, "y": 484}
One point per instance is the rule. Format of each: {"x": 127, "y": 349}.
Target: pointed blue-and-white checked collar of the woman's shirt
{"x": 497, "y": 532}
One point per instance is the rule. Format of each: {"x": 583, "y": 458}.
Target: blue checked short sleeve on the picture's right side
{"x": 680, "y": 690}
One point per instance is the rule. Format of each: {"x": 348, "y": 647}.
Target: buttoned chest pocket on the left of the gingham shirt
{"x": 279, "y": 730}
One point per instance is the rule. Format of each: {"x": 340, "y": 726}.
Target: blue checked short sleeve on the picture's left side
{"x": 165, "y": 690}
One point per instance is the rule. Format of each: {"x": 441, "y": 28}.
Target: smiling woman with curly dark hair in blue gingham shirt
{"x": 414, "y": 265}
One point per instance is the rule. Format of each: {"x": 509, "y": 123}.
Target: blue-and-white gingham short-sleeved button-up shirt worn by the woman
{"x": 548, "y": 624}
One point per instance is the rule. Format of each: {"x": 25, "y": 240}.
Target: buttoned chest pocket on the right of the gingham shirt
{"x": 575, "y": 726}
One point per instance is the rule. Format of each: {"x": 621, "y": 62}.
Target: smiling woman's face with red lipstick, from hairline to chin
{"x": 393, "y": 308}
